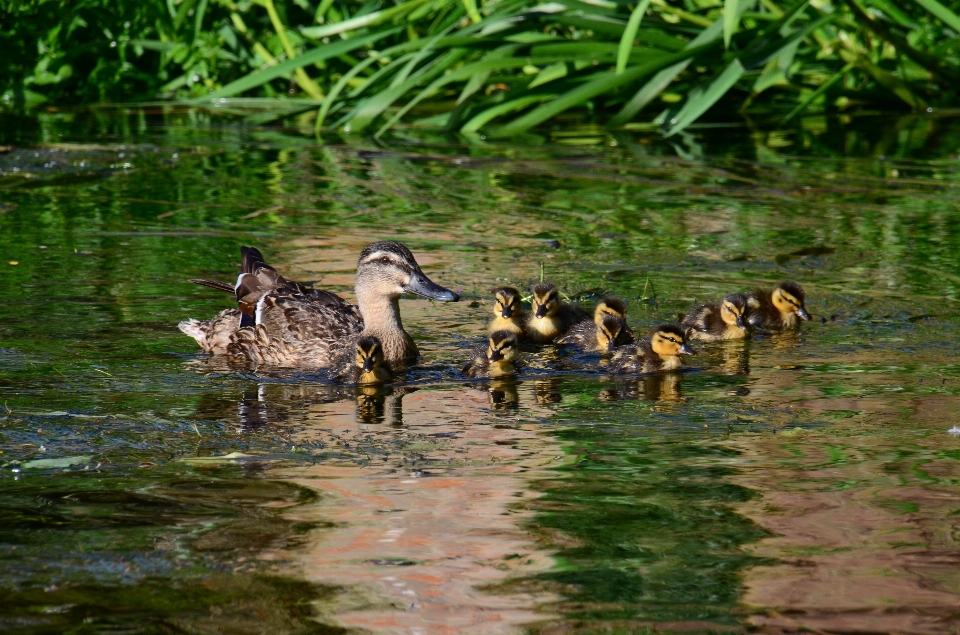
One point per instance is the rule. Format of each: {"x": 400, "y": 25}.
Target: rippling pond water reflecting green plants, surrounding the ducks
{"x": 803, "y": 482}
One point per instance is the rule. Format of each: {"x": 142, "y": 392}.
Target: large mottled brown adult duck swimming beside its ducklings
{"x": 282, "y": 323}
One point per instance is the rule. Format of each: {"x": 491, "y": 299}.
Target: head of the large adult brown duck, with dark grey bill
{"x": 388, "y": 269}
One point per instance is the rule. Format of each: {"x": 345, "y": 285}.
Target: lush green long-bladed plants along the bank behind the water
{"x": 495, "y": 68}
